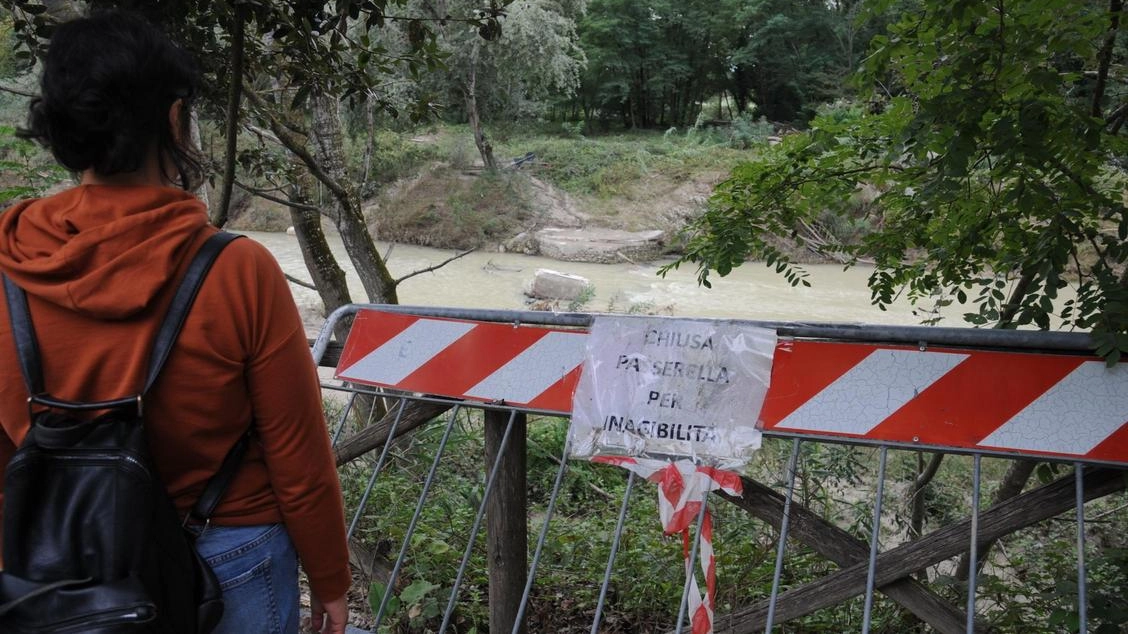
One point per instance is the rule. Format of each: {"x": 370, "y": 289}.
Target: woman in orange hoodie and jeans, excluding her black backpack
{"x": 100, "y": 263}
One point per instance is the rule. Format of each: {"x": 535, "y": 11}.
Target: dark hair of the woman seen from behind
{"x": 109, "y": 83}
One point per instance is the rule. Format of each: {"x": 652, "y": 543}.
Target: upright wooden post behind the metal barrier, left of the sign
{"x": 507, "y": 522}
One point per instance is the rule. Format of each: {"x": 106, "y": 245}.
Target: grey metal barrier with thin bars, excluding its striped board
{"x": 834, "y": 534}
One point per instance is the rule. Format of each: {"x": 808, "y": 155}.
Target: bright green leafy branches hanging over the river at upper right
{"x": 998, "y": 187}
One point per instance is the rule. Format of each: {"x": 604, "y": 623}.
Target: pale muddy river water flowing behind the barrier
{"x": 497, "y": 280}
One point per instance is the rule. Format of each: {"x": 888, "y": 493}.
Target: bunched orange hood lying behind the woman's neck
{"x": 105, "y": 252}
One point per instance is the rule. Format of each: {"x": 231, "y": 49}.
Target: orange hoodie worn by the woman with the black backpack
{"x": 100, "y": 266}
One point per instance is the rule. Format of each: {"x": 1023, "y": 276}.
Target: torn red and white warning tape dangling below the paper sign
{"x": 683, "y": 488}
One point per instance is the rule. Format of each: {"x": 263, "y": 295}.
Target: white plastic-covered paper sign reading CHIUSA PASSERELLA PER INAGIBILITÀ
{"x": 662, "y": 388}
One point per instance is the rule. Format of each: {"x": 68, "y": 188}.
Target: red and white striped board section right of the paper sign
{"x": 1030, "y": 404}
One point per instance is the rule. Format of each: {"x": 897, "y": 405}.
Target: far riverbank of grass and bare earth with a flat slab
{"x": 611, "y": 199}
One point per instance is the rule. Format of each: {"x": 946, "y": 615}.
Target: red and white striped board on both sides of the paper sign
{"x": 1061, "y": 407}
